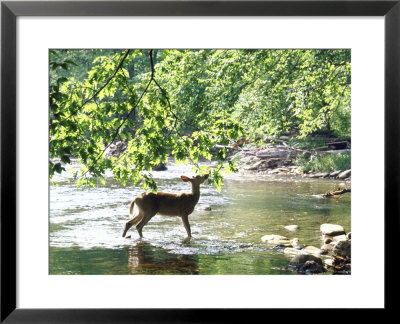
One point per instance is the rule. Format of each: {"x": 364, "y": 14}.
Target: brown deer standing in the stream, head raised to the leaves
{"x": 148, "y": 204}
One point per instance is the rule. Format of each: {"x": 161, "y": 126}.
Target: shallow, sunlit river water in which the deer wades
{"x": 86, "y": 226}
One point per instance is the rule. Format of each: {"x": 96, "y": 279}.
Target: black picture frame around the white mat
{"x": 10, "y": 10}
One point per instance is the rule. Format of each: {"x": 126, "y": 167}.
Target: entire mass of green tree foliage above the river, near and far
{"x": 185, "y": 102}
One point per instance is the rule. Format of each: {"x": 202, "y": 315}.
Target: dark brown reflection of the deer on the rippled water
{"x": 144, "y": 258}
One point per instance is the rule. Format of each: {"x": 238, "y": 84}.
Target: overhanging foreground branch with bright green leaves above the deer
{"x": 87, "y": 116}
